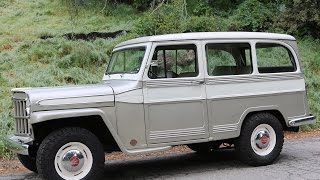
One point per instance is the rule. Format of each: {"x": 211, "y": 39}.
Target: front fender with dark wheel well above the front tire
{"x": 93, "y": 120}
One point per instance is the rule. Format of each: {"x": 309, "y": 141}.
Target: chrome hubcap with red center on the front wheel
{"x": 72, "y": 161}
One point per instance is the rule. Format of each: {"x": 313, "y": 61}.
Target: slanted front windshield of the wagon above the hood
{"x": 126, "y": 61}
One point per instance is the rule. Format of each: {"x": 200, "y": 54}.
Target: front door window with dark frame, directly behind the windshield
{"x": 174, "y": 62}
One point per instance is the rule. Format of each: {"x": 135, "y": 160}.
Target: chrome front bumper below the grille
{"x": 18, "y": 144}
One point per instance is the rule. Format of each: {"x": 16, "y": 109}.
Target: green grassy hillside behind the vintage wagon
{"x": 28, "y": 61}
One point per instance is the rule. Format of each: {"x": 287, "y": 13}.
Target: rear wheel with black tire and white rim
{"x": 244, "y": 147}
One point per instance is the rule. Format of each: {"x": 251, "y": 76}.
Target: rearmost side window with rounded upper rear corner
{"x": 274, "y": 58}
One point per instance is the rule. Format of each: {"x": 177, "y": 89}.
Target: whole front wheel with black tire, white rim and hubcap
{"x": 70, "y": 153}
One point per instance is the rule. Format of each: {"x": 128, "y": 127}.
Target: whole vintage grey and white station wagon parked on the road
{"x": 239, "y": 89}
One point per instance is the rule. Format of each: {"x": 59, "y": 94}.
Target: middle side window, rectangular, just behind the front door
{"x": 228, "y": 59}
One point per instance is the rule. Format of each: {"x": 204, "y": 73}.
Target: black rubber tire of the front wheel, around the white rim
{"x": 54, "y": 141}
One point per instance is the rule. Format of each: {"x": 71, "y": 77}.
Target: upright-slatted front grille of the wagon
{"x": 21, "y": 116}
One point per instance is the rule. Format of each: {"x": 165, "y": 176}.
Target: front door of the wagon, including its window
{"x": 174, "y": 94}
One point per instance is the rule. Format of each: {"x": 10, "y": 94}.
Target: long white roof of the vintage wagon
{"x": 207, "y": 35}
